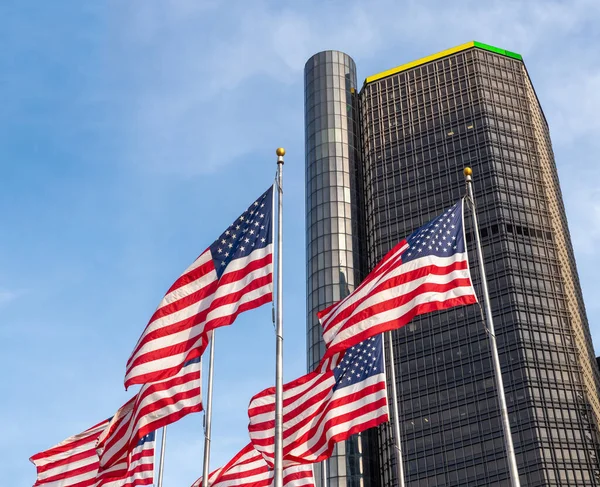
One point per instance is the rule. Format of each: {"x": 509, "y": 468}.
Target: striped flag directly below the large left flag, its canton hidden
{"x": 154, "y": 406}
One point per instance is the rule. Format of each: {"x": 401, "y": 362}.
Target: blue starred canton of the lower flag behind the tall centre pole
{"x": 360, "y": 362}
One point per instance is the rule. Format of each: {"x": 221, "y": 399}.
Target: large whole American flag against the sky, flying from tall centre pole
{"x": 233, "y": 275}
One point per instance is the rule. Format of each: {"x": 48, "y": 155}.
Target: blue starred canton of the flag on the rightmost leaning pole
{"x": 442, "y": 236}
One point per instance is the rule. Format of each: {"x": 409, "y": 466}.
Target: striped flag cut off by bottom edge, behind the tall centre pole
{"x": 249, "y": 469}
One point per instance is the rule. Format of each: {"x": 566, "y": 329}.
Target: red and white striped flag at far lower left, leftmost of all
{"x": 71, "y": 463}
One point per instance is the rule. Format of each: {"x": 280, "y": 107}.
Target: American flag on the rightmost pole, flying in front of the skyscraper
{"x": 426, "y": 272}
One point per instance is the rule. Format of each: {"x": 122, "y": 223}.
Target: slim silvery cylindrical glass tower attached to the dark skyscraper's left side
{"x": 332, "y": 214}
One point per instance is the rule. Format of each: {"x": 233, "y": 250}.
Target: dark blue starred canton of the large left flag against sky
{"x": 250, "y": 231}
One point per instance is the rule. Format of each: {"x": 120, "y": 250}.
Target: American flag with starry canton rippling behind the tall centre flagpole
{"x": 323, "y": 408}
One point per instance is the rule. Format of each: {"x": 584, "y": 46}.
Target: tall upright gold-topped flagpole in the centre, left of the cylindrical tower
{"x": 278, "y": 463}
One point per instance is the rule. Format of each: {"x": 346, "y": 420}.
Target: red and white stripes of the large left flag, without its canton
{"x": 197, "y": 303}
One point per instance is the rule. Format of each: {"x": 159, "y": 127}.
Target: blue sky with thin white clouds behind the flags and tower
{"x": 133, "y": 133}
